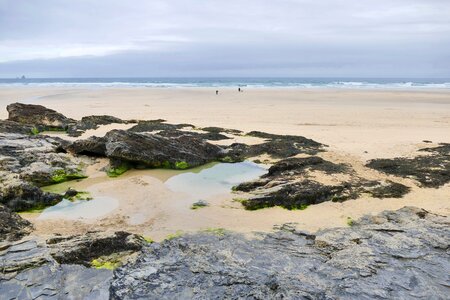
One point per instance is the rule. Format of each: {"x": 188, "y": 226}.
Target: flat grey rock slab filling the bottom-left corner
{"x": 27, "y": 271}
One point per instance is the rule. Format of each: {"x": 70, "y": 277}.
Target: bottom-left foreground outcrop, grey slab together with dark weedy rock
{"x": 32, "y": 269}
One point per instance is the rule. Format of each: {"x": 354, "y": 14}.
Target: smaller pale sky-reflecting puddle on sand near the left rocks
{"x": 82, "y": 209}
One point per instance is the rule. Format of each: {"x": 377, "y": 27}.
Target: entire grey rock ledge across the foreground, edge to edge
{"x": 393, "y": 255}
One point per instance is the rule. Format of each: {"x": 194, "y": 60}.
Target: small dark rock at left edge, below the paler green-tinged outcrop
{"x": 12, "y": 226}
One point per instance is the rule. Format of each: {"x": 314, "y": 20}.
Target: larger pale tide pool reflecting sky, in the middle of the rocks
{"x": 216, "y": 180}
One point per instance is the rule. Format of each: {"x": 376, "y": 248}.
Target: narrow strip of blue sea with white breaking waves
{"x": 380, "y": 83}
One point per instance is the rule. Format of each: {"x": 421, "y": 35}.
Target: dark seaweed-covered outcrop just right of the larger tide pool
{"x": 288, "y": 184}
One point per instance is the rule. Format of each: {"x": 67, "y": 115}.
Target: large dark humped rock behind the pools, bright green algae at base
{"x": 180, "y": 151}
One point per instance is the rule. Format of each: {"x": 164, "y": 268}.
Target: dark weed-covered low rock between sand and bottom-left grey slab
{"x": 82, "y": 249}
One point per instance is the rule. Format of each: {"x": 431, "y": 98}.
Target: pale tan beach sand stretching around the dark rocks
{"x": 356, "y": 124}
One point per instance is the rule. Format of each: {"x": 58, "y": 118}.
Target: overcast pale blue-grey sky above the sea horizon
{"x": 225, "y": 38}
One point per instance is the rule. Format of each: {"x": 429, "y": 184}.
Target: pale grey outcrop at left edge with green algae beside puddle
{"x": 27, "y": 162}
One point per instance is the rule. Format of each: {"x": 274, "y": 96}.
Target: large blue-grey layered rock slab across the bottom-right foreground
{"x": 395, "y": 255}
